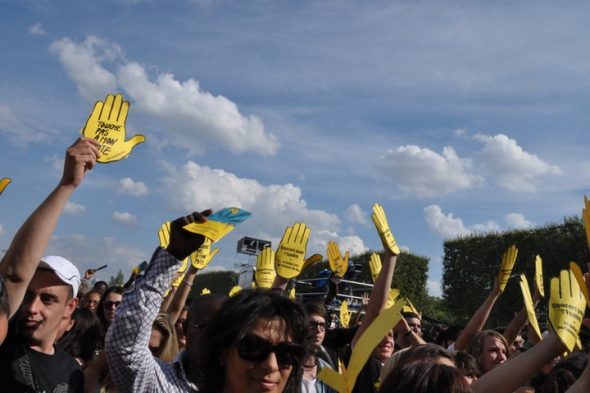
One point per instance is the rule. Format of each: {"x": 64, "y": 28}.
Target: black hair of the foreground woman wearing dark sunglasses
{"x": 236, "y": 317}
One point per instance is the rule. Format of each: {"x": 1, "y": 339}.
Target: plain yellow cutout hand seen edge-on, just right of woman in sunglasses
{"x": 344, "y": 382}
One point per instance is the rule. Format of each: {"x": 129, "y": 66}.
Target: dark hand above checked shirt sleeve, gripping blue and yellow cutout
{"x": 182, "y": 242}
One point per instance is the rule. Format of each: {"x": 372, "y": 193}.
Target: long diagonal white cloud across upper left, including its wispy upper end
{"x": 187, "y": 112}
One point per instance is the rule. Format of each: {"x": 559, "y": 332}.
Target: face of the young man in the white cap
{"x": 44, "y": 307}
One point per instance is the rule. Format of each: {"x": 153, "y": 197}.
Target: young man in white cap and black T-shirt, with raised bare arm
{"x": 42, "y": 292}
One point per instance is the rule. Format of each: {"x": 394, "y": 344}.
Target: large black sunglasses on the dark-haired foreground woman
{"x": 255, "y": 349}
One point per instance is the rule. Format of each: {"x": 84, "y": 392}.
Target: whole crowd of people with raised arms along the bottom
{"x": 58, "y": 334}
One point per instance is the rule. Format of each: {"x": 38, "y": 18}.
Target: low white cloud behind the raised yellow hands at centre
{"x": 273, "y": 207}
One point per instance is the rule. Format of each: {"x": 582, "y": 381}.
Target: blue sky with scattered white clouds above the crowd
{"x": 456, "y": 116}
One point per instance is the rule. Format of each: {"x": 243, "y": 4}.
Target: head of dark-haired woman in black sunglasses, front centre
{"x": 254, "y": 343}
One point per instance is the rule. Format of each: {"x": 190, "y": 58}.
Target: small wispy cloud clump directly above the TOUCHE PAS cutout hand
{"x": 83, "y": 64}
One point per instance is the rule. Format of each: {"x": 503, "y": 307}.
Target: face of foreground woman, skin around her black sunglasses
{"x": 267, "y": 375}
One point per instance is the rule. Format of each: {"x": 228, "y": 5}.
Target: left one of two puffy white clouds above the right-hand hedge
{"x": 425, "y": 173}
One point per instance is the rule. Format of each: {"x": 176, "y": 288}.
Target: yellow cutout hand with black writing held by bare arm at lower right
{"x": 566, "y": 308}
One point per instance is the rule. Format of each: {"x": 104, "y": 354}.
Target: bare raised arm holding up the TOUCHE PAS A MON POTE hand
{"x": 28, "y": 246}
